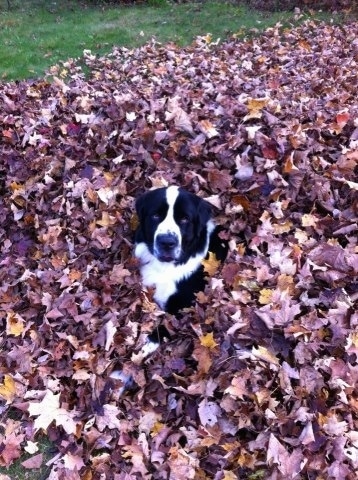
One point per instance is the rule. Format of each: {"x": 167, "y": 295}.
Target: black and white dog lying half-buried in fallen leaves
{"x": 176, "y": 232}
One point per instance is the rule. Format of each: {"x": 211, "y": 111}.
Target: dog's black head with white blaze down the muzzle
{"x": 172, "y": 223}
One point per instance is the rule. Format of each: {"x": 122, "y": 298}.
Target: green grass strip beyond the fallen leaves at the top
{"x": 36, "y": 34}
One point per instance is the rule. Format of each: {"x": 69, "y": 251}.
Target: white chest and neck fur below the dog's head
{"x": 164, "y": 276}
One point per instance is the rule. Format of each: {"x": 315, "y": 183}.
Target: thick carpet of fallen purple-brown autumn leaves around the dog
{"x": 259, "y": 380}
